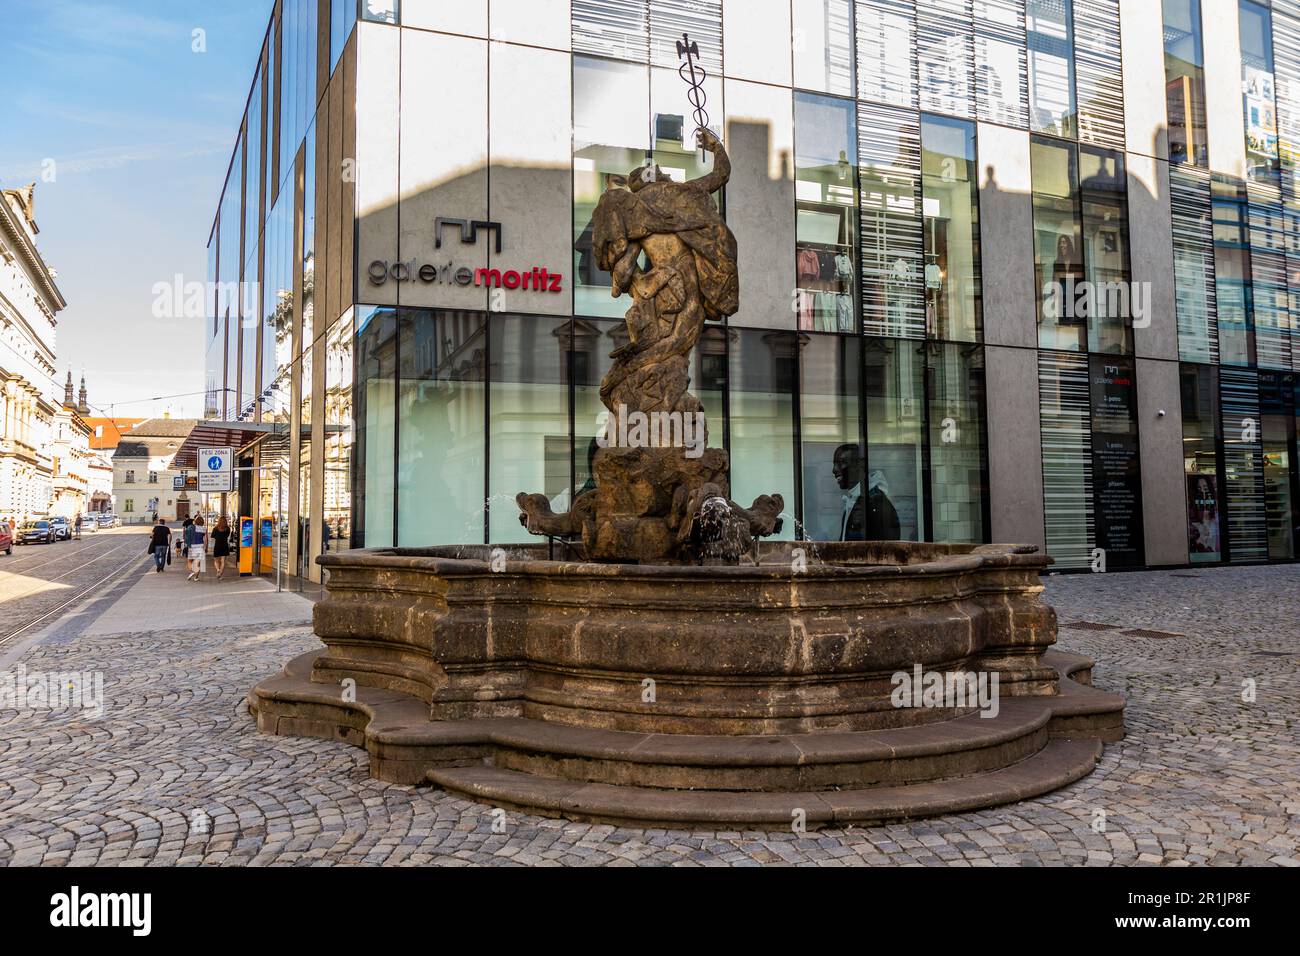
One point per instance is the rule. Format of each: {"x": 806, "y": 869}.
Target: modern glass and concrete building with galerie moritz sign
{"x": 1037, "y": 261}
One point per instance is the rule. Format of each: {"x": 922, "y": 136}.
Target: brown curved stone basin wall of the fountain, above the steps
{"x": 760, "y": 650}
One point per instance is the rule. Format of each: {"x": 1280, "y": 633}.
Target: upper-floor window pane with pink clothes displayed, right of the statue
{"x": 826, "y": 193}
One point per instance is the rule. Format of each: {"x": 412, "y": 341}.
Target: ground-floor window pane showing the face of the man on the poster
{"x": 835, "y": 505}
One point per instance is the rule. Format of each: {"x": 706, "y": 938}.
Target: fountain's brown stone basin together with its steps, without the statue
{"x": 697, "y": 695}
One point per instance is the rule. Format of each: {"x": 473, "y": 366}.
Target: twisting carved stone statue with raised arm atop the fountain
{"x": 661, "y": 494}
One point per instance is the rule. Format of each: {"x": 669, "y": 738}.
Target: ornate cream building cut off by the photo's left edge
{"x": 29, "y": 302}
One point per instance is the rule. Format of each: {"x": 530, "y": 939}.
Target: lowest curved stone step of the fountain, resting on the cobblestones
{"x": 1056, "y": 765}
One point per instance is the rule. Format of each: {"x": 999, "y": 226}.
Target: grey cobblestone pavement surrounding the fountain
{"x": 1202, "y": 778}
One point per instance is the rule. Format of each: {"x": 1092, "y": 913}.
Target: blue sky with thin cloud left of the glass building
{"x": 141, "y": 129}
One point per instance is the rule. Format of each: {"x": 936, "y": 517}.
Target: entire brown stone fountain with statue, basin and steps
{"x": 675, "y": 668}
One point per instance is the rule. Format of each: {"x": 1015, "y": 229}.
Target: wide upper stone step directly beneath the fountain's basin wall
{"x": 405, "y": 743}
